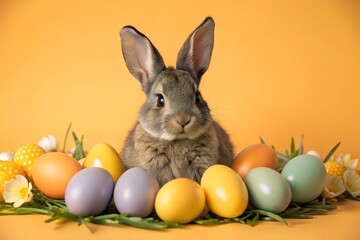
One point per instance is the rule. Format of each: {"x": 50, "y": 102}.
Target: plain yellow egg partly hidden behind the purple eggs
{"x": 104, "y": 156}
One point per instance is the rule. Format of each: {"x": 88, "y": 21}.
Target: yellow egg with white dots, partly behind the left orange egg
{"x": 26, "y": 156}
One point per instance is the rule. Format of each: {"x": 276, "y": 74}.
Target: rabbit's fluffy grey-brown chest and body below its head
{"x": 181, "y": 158}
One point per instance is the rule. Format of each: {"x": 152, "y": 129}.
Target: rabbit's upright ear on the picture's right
{"x": 195, "y": 54}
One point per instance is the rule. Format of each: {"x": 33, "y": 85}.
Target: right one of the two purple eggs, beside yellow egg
{"x": 135, "y": 192}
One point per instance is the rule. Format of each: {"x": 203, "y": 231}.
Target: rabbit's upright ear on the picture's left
{"x": 142, "y": 58}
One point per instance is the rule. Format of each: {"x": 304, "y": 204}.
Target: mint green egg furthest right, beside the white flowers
{"x": 306, "y": 177}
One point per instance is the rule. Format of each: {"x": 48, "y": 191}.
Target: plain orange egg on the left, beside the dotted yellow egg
{"x": 53, "y": 171}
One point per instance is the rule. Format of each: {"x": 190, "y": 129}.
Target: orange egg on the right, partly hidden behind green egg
{"x": 258, "y": 155}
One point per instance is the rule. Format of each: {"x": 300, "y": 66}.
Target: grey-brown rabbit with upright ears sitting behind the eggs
{"x": 175, "y": 135}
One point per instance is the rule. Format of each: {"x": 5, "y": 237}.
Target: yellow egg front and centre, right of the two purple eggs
{"x": 181, "y": 200}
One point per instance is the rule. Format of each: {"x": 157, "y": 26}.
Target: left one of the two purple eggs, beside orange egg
{"x": 89, "y": 192}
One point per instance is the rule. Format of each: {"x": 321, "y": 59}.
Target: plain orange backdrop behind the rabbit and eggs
{"x": 279, "y": 69}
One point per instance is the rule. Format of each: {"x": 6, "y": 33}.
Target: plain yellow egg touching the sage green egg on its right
{"x": 225, "y": 191}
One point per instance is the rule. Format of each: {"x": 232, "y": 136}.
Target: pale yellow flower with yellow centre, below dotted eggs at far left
{"x": 18, "y": 191}
